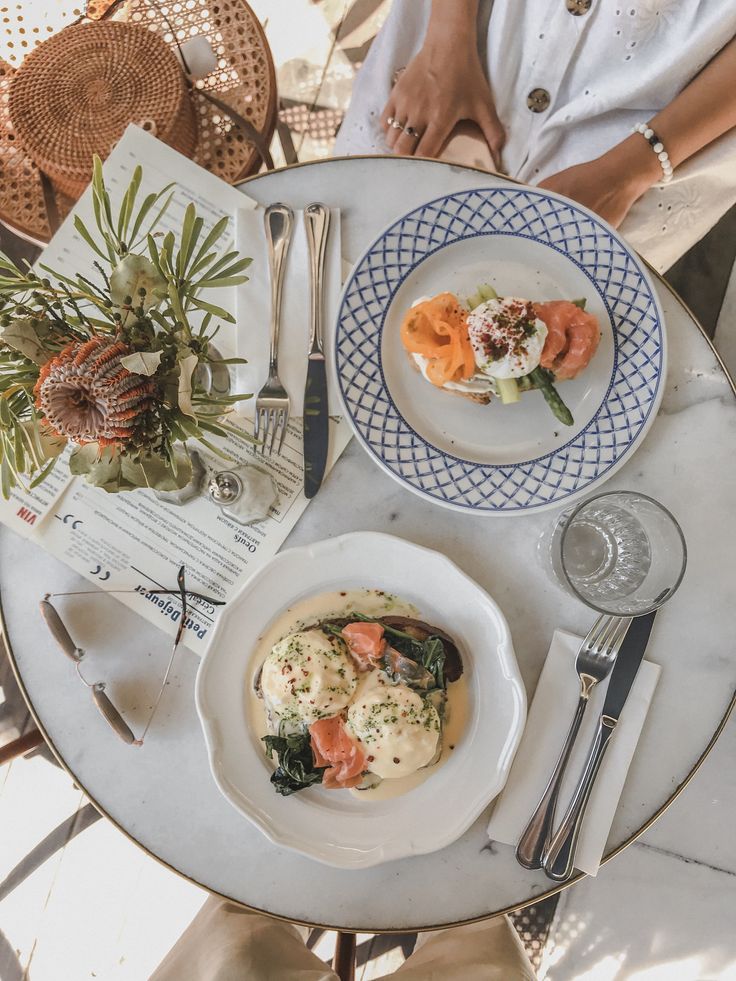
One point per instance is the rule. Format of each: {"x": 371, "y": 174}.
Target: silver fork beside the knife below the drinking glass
{"x": 593, "y": 664}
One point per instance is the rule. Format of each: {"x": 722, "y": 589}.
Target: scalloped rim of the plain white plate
{"x": 393, "y": 850}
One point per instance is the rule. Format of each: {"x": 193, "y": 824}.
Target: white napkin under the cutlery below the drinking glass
{"x": 549, "y": 718}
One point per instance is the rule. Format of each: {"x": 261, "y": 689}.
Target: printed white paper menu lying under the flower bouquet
{"x": 132, "y": 540}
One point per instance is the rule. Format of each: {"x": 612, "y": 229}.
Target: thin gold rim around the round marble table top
{"x": 554, "y": 890}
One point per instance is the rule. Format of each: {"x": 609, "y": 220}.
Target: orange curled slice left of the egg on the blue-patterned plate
{"x": 437, "y": 329}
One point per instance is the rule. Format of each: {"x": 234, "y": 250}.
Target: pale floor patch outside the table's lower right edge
{"x": 663, "y": 910}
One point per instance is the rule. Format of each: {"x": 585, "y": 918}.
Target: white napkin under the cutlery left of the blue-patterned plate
{"x": 253, "y": 306}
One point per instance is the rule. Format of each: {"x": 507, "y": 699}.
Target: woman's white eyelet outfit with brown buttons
{"x": 570, "y": 79}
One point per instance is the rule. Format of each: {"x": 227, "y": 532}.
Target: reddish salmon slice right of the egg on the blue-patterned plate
{"x": 572, "y": 337}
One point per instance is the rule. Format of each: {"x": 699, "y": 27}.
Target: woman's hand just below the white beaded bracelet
{"x": 610, "y": 184}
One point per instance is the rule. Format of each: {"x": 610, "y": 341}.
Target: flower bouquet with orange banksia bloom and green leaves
{"x": 113, "y": 361}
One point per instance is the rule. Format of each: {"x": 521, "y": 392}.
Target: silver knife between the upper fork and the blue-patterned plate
{"x": 316, "y": 418}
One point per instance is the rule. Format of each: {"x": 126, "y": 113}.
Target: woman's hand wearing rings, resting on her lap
{"x": 443, "y": 84}
